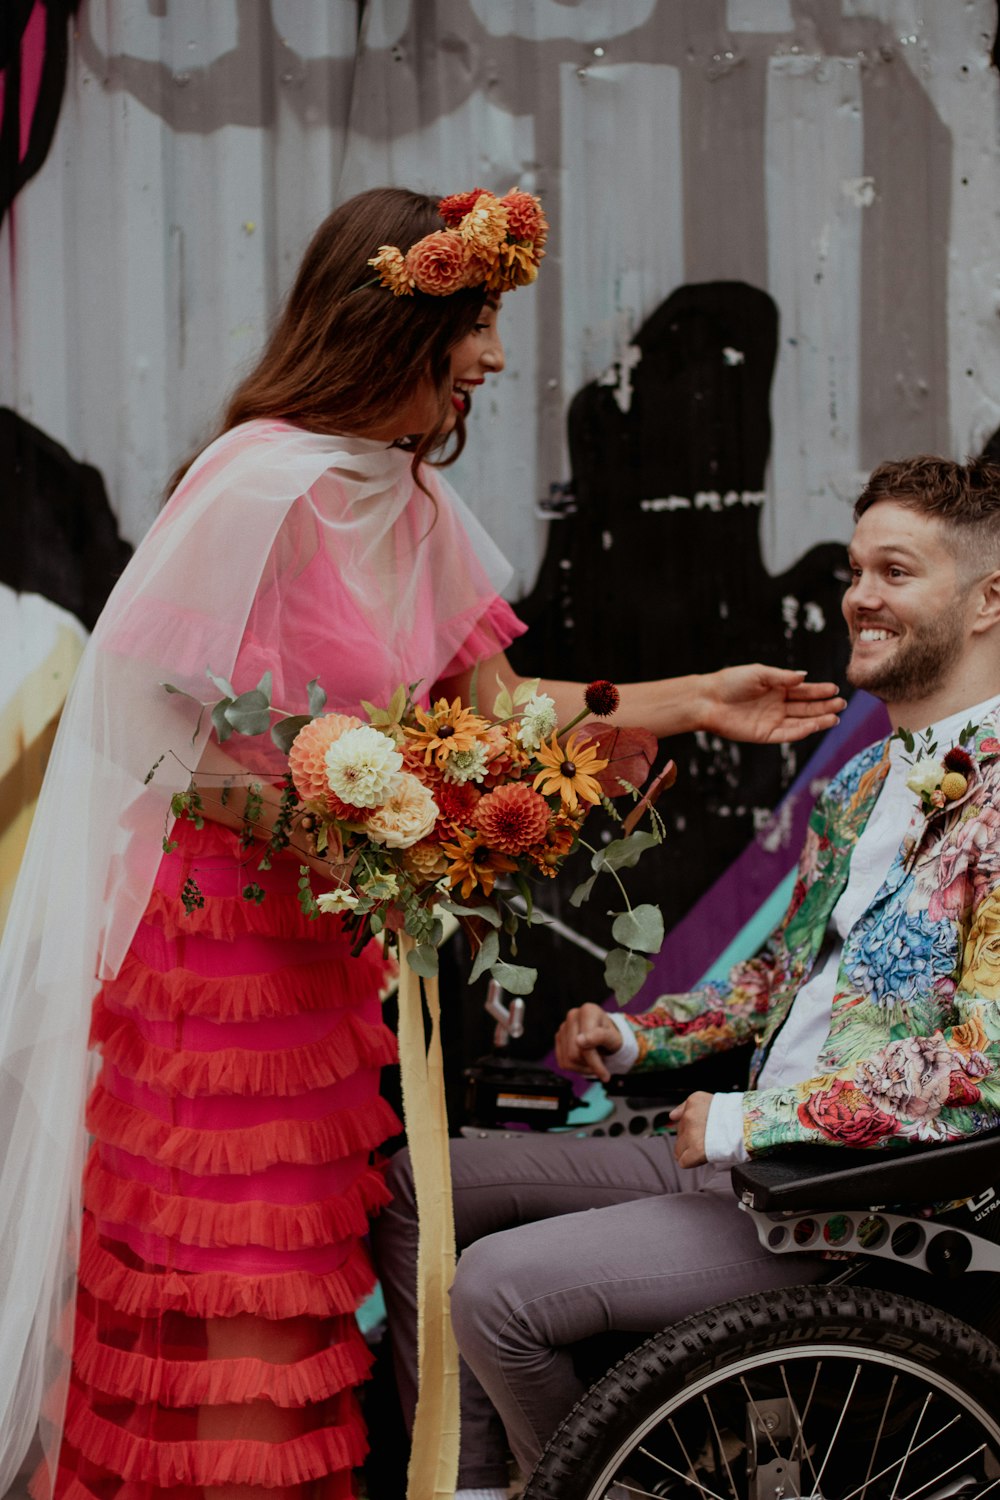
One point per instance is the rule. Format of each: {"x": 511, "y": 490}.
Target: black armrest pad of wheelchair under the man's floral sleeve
{"x": 833, "y": 1178}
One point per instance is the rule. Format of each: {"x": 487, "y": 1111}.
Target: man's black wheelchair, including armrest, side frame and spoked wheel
{"x": 879, "y": 1382}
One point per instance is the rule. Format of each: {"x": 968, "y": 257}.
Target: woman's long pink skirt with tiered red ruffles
{"x": 226, "y": 1198}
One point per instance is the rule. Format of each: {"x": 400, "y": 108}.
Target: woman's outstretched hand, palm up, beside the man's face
{"x": 767, "y": 704}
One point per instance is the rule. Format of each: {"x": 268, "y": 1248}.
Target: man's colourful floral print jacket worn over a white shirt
{"x": 914, "y": 1049}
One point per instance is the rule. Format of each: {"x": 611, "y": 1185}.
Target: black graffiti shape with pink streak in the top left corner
{"x": 17, "y": 169}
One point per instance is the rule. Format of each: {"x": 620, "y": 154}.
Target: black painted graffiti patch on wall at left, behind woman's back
{"x": 61, "y": 536}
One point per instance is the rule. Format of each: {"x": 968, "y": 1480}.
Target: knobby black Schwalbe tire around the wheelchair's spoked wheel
{"x": 651, "y": 1384}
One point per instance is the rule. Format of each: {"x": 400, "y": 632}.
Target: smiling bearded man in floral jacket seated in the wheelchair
{"x": 875, "y": 1009}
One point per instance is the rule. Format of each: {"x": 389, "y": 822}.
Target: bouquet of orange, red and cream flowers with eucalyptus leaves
{"x": 422, "y": 812}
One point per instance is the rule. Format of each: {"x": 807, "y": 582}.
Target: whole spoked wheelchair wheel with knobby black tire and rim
{"x": 827, "y": 1393}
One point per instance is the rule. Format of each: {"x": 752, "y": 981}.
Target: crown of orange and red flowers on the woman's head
{"x": 490, "y": 242}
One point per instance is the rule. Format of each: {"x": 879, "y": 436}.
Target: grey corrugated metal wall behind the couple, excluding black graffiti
{"x": 839, "y": 154}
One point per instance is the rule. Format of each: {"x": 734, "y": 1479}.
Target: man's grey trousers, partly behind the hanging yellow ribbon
{"x": 563, "y": 1238}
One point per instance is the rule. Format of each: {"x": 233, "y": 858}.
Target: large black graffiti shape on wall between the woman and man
{"x": 633, "y": 592}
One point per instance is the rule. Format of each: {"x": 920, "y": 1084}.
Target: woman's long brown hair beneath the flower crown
{"x": 346, "y": 355}
